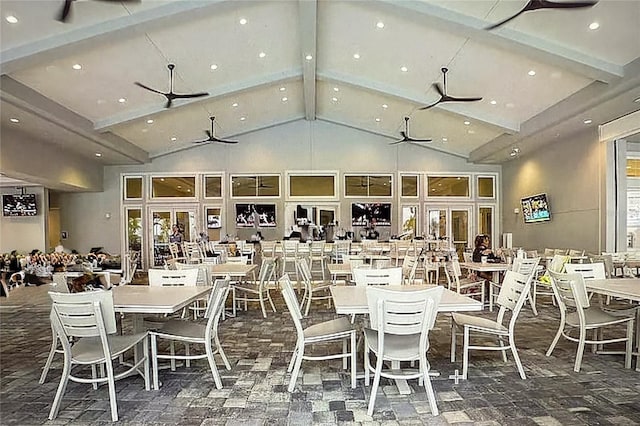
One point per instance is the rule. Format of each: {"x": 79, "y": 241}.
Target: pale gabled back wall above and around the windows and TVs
{"x": 300, "y": 145}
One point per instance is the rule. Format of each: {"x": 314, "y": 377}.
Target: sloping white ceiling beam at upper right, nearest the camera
{"x": 508, "y": 40}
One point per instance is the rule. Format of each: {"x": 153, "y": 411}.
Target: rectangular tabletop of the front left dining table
{"x": 141, "y": 299}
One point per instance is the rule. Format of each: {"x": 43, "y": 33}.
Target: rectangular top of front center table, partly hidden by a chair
{"x": 353, "y": 299}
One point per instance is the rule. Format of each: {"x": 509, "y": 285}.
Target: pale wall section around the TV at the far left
{"x": 25, "y": 233}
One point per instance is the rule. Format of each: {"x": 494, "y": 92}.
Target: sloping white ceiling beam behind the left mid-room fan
{"x": 214, "y": 93}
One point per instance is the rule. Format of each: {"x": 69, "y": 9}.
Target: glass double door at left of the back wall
{"x": 162, "y": 220}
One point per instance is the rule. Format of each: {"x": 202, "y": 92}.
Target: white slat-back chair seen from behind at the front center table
{"x": 399, "y": 328}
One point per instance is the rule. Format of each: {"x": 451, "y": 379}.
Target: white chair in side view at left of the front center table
{"x": 339, "y": 329}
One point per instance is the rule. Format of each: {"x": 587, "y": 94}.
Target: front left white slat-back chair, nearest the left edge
{"x": 89, "y": 319}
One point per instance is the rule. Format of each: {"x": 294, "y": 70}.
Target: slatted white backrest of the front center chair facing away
{"x": 403, "y": 312}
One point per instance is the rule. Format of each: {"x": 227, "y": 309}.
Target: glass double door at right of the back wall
{"x": 452, "y": 223}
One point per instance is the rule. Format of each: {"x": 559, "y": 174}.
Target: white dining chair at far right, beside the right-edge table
{"x": 578, "y": 316}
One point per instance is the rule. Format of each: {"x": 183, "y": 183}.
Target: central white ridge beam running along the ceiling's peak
{"x": 307, "y": 10}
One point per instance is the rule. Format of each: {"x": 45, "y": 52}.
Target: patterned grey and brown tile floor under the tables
{"x": 255, "y": 390}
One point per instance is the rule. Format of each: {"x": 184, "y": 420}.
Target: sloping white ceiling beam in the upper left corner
{"x": 52, "y": 48}
